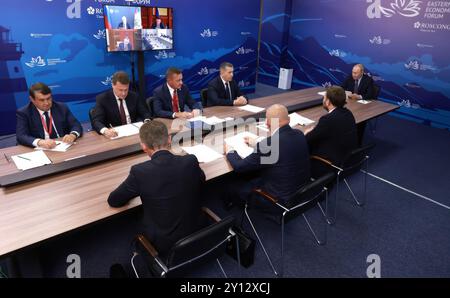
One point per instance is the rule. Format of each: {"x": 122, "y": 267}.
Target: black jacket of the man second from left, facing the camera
{"x": 106, "y": 110}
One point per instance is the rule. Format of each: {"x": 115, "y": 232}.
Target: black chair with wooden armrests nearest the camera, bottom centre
{"x": 208, "y": 241}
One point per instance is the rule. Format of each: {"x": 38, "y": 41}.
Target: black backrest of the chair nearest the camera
{"x": 199, "y": 244}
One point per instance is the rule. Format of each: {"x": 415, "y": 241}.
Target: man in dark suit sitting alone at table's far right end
{"x": 362, "y": 87}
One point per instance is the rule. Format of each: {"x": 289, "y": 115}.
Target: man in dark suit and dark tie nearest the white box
{"x": 223, "y": 90}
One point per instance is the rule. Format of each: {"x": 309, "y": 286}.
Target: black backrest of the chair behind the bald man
{"x": 311, "y": 191}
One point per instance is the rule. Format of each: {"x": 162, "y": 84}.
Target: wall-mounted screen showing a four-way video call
{"x": 133, "y": 28}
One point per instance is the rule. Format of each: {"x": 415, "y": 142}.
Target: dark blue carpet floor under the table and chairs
{"x": 409, "y": 228}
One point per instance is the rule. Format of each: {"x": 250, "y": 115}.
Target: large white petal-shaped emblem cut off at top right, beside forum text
{"x": 406, "y": 8}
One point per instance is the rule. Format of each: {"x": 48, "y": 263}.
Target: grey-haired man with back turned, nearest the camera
{"x": 169, "y": 186}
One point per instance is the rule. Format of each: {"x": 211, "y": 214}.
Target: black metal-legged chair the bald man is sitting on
{"x": 303, "y": 200}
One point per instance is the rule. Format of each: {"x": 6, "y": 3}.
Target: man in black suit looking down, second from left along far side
{"x": 118, "y": 106}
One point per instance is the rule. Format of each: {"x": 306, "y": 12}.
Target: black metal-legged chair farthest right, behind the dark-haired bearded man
{"x": 356, "y": 161}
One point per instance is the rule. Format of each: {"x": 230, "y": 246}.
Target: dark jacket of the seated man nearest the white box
{"x": 217, "y": 96}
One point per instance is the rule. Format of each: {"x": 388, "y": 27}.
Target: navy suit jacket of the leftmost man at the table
{"x": 29, "y": 124}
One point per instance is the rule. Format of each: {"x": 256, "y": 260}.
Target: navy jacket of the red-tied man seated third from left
{"x": 162, "y": 104}
